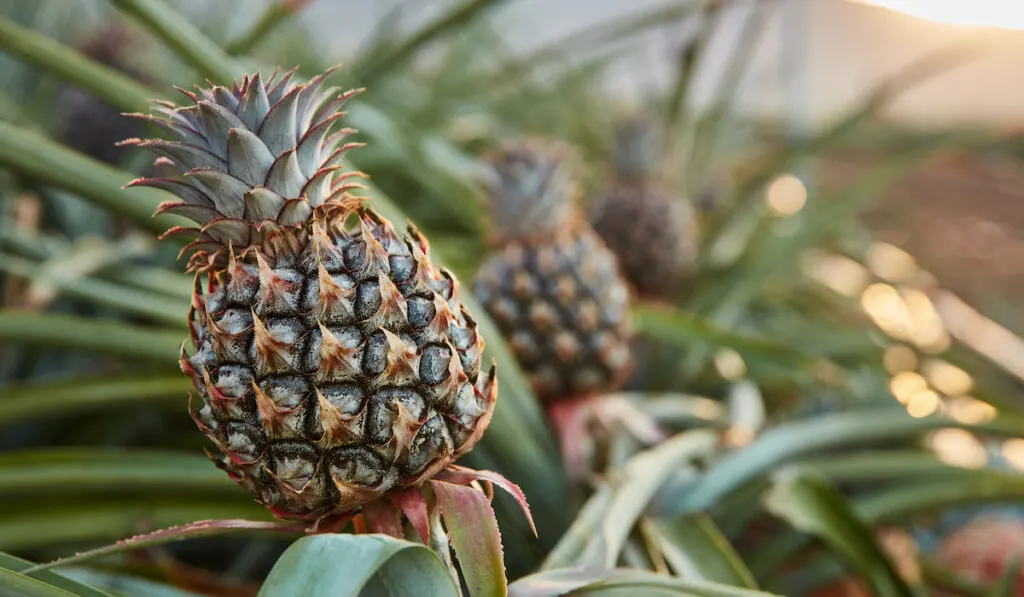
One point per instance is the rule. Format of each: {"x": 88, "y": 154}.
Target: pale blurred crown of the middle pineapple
{"x": 532, "y": 188}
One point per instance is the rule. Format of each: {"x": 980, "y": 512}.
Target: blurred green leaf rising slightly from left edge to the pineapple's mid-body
{"x": 73, "y": 397}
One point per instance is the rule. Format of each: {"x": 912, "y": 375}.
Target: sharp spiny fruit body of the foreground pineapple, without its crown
{"x": 338, "y": 372}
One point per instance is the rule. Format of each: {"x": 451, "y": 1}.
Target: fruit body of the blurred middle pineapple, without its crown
{"x": 565, "y": 312}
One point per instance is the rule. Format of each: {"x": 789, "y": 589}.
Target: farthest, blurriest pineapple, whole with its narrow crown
{"x": 654, "y": 234}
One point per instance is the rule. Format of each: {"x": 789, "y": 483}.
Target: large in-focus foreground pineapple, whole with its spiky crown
{"x": 335, "y": 363}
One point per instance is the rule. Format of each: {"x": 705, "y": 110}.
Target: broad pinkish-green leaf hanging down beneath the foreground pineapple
{"x": 474, "y": 532}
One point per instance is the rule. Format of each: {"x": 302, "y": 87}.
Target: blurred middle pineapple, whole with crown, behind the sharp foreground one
{"x": 552, "y": 287}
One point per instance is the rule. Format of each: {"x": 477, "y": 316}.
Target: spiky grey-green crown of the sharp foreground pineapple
{"x": 252, "y": 159}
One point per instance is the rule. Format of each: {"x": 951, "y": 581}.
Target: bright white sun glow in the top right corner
{"x": 998, "y": 14}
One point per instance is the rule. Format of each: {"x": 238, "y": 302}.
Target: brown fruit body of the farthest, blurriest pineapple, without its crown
{"x": 654, "y": 235}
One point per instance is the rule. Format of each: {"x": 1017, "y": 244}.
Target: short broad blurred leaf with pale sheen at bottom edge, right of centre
{"x": 696, "y": 548}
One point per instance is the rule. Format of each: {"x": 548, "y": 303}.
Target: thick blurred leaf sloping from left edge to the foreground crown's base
{"x": 51, "y": 163}
